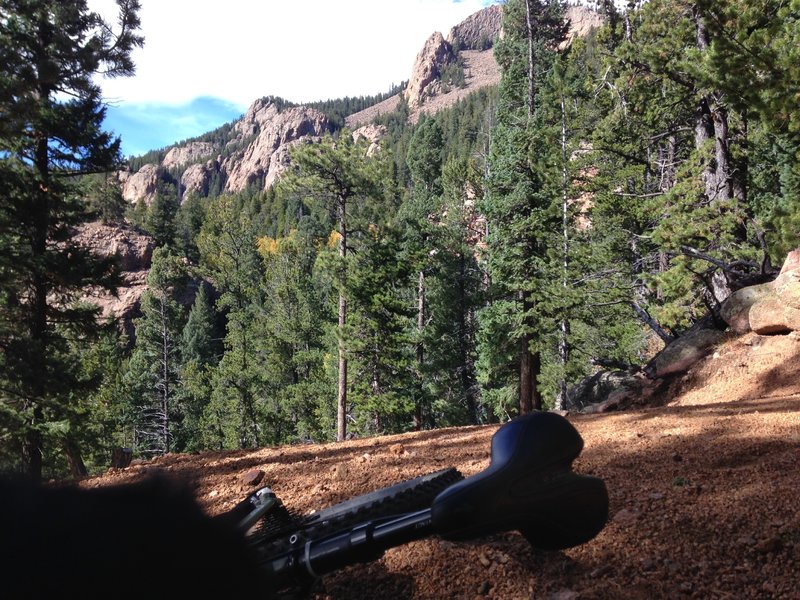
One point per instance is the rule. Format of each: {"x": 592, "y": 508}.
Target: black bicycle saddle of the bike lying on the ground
{"x": 529, "y": 486}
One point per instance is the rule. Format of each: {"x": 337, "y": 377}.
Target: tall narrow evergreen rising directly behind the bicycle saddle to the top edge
{"x": 519, "y": 205}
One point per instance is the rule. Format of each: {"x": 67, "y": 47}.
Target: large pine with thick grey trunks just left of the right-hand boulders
{"x": 680, "y": 149}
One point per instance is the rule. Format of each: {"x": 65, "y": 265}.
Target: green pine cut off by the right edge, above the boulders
{"x": 753, "y": 57}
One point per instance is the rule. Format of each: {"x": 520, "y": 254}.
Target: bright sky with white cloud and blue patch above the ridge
{"x": 204, "y": 61}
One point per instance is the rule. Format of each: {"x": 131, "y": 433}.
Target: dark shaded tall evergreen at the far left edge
{"x": 51, "y": 132}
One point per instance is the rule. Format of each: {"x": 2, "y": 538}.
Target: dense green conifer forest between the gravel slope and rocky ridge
{"x": 605, "y": 198}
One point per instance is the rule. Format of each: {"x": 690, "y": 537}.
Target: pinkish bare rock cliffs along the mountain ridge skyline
{"x": 257, "y": 150}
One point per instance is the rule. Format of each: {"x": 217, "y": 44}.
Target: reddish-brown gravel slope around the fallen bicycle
{"x": 703, "y": 490}
